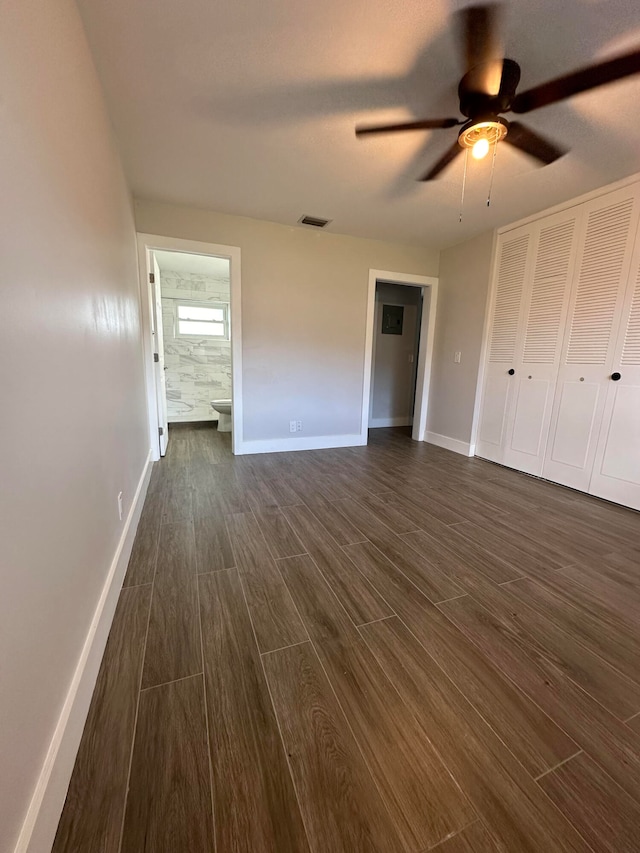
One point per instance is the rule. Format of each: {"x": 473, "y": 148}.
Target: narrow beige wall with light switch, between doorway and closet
{"x": 462, "y": 299}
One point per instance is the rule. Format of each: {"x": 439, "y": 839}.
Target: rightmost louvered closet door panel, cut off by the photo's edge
{"x": 616, "y": 471}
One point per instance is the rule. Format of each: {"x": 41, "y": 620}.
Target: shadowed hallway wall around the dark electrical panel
{"x": 393, "y": 373}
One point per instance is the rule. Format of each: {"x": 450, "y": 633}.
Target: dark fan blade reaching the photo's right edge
{"x": 578, "y": 81}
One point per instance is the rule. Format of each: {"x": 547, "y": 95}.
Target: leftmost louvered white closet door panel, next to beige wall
{"x": 514, "y": 260}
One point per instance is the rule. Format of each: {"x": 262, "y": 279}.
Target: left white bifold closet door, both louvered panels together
{"x": 535, "y": 265}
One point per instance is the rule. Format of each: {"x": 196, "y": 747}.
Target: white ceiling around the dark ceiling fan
{"x": 249, "y": 107}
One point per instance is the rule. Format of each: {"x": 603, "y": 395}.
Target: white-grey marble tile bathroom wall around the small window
{"x": 198, "y": 369}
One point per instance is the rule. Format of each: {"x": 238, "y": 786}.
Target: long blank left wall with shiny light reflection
{"x": 73, "y": 431}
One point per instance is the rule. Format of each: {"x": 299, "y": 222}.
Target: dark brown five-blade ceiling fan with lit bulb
{"x": 488, "y": 90}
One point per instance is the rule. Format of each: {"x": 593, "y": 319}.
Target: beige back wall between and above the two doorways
{"x": 304, "y": 301}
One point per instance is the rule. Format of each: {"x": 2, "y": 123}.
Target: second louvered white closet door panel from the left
{"x": 539, "y": 346}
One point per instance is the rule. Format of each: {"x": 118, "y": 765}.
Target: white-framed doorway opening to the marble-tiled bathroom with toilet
{"x": 192, "y": 331}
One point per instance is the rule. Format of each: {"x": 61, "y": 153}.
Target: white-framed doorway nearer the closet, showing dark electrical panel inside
{"x": 401, "y": 313}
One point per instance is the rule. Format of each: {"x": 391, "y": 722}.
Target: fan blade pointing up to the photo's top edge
{"x": 481, "y": 36}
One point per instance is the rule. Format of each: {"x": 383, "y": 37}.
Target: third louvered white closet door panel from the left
{"x": 604, "y": 258}
